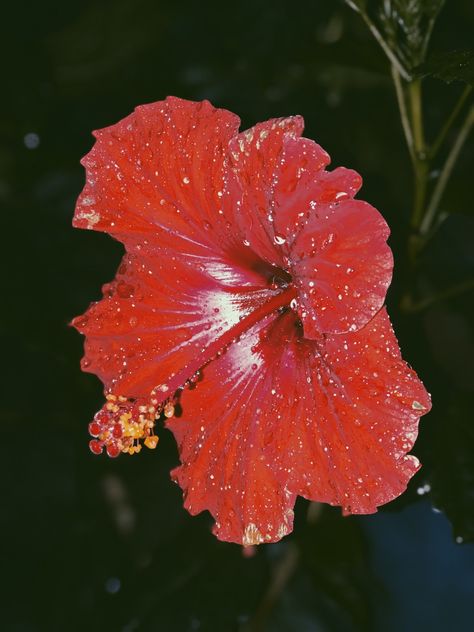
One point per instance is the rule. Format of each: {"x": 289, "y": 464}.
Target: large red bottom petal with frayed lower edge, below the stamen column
{"x": 277, "y": 415}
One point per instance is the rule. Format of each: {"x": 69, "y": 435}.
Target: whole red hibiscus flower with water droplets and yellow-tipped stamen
{"x": 248, "y": 310}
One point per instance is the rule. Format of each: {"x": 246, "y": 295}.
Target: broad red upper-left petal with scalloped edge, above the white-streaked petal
{"x": 159, "y": 171}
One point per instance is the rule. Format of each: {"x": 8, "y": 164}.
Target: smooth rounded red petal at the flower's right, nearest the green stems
{"x": 342, "y": 266}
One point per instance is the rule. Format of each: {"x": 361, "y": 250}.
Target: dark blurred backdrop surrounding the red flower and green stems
{"x": 101, "y": 544}
